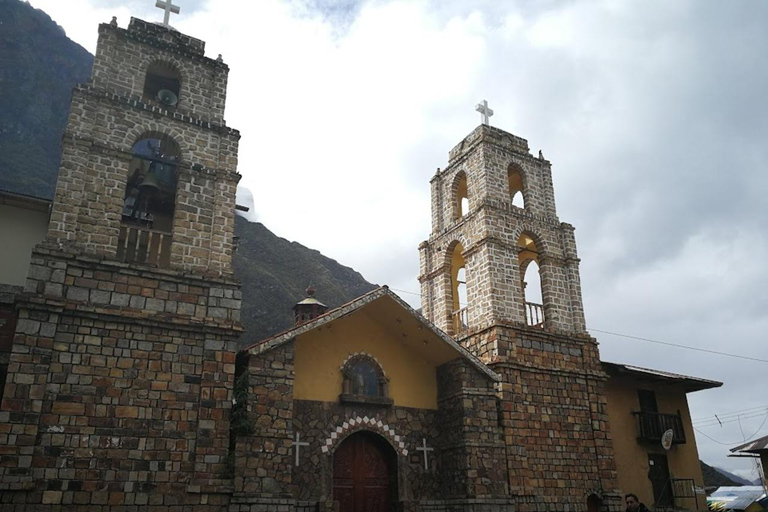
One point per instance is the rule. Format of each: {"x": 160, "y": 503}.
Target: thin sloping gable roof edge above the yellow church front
{"x": 357, "y": 304}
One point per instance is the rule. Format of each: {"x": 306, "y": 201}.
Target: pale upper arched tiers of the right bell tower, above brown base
{"x": 493, "y": 214}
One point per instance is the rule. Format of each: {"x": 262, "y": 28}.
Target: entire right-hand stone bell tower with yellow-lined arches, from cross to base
{"x": 493, "y": 215}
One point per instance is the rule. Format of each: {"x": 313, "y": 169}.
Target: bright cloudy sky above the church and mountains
{"x": 653, "y": 114}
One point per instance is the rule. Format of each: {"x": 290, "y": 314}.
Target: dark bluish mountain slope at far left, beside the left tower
{"x": 39, "y": 65}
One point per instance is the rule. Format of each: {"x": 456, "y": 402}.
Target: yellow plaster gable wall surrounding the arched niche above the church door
{"x": 408, "y": 354}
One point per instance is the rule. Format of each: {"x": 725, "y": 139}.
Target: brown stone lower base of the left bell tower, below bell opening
{"x": 119, "y": 389}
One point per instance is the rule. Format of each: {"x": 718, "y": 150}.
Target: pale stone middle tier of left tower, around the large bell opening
{"x": 96, "y": 153}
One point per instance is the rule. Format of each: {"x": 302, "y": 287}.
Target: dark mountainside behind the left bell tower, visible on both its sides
{"x": 39, "y": 66}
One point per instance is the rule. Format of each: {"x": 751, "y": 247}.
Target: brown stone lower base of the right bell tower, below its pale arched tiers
{"x": 553, "y": 412}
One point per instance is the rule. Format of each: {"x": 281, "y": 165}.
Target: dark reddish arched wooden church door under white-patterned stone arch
{"x": 365, "y": 474}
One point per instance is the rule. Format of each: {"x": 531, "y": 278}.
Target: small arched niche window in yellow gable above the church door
{"x": 364, "y": 381}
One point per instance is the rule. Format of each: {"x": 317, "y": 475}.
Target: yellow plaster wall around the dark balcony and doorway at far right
{"x": 632, "y": 456}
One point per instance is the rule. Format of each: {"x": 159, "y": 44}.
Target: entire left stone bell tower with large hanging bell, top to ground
{"x": 120, "y": 380}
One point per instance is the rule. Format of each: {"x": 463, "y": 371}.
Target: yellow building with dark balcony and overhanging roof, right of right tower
{"x": 643, "y": 404}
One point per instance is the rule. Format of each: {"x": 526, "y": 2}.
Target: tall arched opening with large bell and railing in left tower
{"x": 149, "y": 202}
